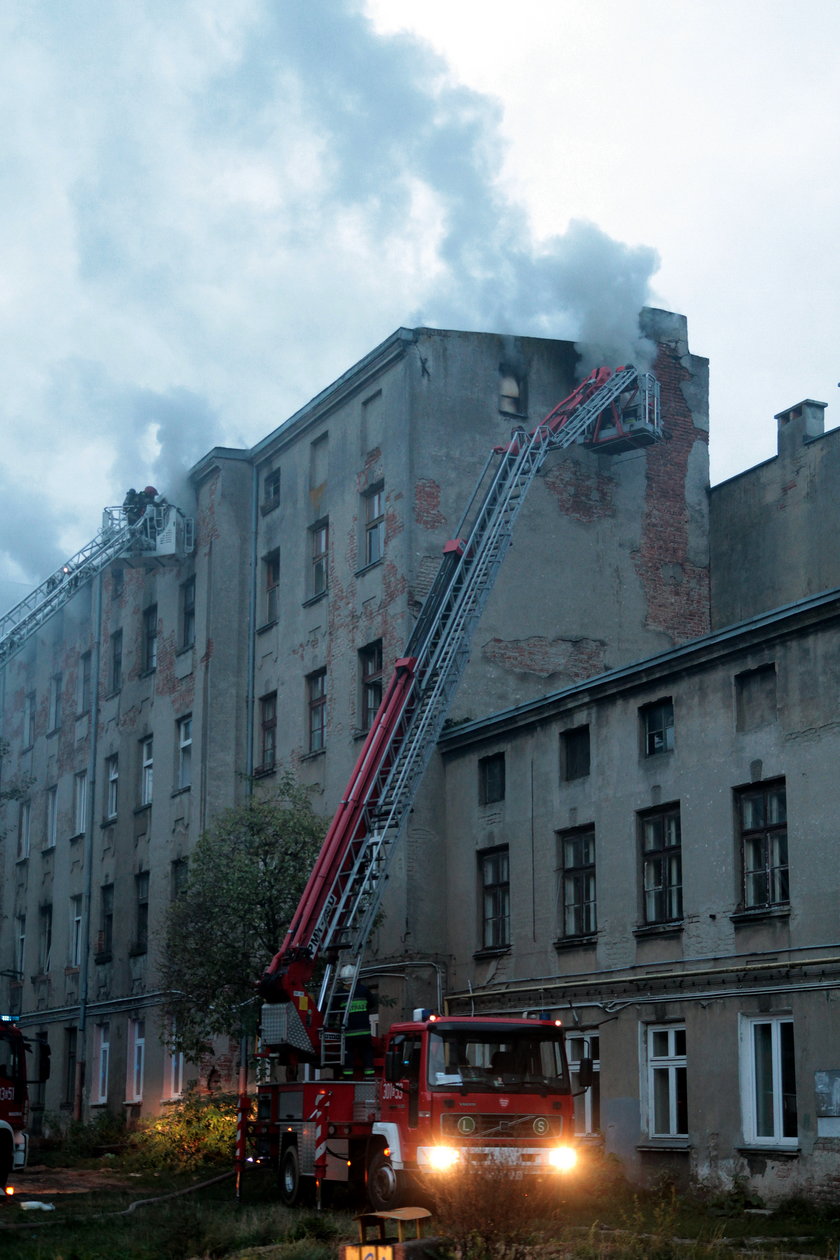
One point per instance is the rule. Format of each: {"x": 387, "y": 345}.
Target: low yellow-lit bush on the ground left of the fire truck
{"x": 198, "y": 1131}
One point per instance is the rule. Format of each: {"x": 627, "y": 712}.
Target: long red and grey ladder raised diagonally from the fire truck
{"x": 610, "y": 411}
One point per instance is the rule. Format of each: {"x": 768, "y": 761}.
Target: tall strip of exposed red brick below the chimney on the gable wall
{"x": 676, "y": 587}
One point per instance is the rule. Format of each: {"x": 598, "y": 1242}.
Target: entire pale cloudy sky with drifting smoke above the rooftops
{"x": 211, "y": 209}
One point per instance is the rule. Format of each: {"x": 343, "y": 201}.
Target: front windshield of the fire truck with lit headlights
{"x": 522, "y": 1062}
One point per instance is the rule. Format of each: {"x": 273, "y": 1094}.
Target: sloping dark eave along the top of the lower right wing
{"x": 688, "y": 656}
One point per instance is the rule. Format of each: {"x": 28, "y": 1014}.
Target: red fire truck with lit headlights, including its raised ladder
{"x": 439, "y": 1092}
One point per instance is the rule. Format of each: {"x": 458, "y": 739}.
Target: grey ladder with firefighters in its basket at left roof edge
{"x": 150, "y": 529}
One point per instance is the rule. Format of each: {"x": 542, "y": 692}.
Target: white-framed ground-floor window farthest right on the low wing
{"x": 769, "y": 1080}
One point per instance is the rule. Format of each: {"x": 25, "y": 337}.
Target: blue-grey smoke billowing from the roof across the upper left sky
{"x": 212, "y": 211}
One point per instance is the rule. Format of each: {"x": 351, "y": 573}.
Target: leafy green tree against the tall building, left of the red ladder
{"x": 246, "y": 878}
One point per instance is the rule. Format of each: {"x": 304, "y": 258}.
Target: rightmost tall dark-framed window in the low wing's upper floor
{"x": 764, "y": 846}
